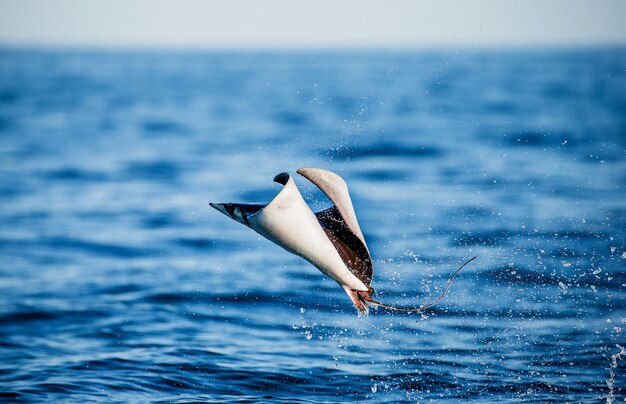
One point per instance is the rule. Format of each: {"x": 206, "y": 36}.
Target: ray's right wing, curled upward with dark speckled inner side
{"x": 340, "y": 224}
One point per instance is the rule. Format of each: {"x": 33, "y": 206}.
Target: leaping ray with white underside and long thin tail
{"x": 331, "y": 240}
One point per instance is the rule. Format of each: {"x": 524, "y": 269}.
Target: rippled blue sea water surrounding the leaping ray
{"x": 118, "y": 282}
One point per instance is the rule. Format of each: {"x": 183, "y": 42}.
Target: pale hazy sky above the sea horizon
{"x": 311, "y": 24}
